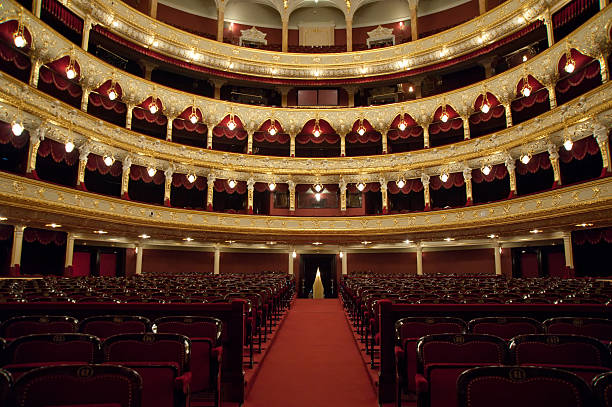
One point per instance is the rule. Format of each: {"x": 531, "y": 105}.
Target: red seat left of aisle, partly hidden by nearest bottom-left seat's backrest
{"x": 161, "y": 359}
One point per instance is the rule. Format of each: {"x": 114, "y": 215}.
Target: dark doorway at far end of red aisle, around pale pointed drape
{"x": 326, "y": 263}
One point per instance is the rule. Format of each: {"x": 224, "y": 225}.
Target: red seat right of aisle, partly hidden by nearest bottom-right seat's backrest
{"x": 442, "y": 358}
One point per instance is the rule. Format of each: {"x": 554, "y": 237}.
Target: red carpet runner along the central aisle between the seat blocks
{"x": 313, "y": 362}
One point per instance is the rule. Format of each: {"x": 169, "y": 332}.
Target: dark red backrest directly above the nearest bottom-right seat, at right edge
{"x": 558, "y": 349}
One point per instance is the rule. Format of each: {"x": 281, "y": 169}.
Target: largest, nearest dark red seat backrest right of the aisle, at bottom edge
{"x": 525, "y": 386}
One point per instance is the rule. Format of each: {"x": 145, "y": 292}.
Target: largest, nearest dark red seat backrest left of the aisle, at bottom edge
{"x": 78, "y": 385}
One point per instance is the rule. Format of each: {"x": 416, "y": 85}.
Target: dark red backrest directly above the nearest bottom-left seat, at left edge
{"x": 53, "y": 348}
